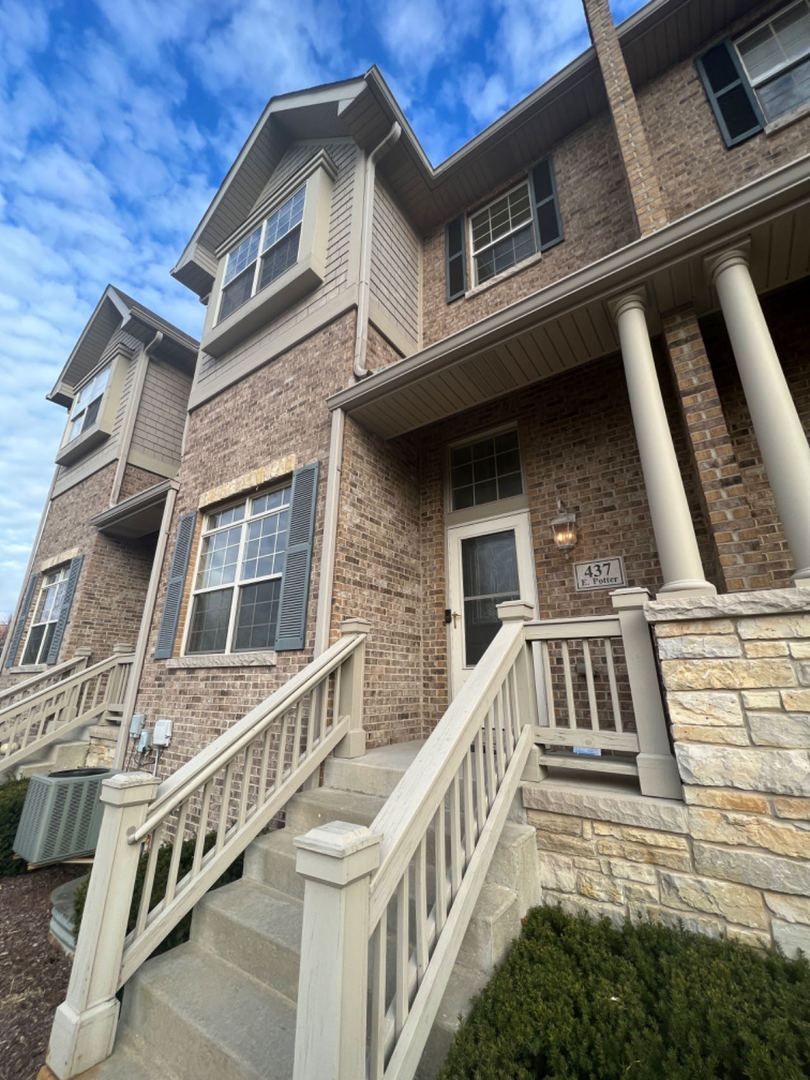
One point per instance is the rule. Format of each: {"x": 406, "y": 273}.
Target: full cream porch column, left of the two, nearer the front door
{"x": 672, "y": 522}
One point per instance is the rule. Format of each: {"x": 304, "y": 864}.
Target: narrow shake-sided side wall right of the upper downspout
{"x": 396, "y": 268}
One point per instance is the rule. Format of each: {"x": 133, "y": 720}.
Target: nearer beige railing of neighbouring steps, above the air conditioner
{"x": 31, "y": 725}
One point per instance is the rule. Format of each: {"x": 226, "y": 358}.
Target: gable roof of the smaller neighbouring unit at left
{"x": 117, "y": 313}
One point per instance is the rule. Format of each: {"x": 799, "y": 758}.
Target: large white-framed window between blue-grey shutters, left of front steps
{"x": 237, "y": 592}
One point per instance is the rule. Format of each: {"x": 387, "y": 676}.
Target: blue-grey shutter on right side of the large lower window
{"x": 295, "y": 585}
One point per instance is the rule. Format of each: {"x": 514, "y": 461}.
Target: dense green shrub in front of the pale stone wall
{"x": 578, "y": 1001}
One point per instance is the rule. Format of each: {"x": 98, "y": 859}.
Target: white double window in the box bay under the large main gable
{"x": 271, "y": 250}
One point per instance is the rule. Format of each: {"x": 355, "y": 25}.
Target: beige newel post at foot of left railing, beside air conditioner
{"x": 85, "y": 1025}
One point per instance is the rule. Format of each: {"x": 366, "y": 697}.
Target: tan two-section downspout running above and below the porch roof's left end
{"x": 323, "y": 617}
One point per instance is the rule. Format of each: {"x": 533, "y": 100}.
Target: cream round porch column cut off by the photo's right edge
{"x": 777, "y": 424}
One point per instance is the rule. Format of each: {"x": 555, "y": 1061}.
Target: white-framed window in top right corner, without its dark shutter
{"x": 777, "y": 60}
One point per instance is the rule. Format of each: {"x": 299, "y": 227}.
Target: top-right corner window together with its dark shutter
{"x": 762, "y": 76}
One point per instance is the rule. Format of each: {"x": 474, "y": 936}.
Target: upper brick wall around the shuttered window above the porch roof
{"x": 598, "y": 219}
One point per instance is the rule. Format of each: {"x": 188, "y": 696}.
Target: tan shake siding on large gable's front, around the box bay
{"x": 260, "y": 347}
